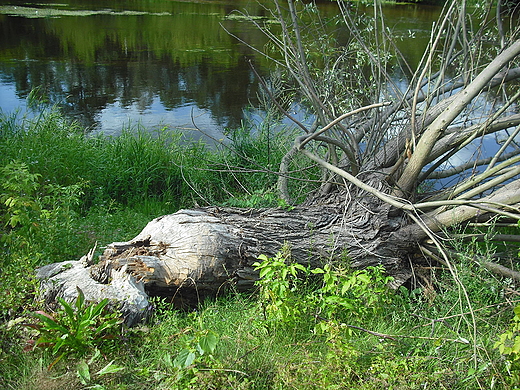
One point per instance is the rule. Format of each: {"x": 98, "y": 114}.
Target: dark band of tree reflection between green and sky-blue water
{"x": 83, "y": 91}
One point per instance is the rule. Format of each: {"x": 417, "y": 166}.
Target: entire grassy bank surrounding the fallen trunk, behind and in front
{"x": 331, "y": 328}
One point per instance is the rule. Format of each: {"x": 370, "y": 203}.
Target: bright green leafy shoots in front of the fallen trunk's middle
{"x": 343, "y": 293}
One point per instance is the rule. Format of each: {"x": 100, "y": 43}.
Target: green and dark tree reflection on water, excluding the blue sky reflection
{"x": 86, "y": 63}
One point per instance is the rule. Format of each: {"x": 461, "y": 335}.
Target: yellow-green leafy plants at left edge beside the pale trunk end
{"x": 35, "y": 224}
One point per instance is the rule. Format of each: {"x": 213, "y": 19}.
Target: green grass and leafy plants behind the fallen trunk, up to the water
{"x": 62, "y": 191}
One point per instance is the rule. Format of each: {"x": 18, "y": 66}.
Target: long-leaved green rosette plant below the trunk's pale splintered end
{"x": 76, "y": 329}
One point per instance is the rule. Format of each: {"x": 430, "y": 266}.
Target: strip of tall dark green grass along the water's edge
{"x": 139, "y": 165}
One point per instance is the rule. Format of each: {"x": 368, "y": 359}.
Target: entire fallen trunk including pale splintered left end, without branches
{"x": 193, "y": 254}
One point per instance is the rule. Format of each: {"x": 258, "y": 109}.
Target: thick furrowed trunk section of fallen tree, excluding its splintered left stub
{"x": 200, "y": 251}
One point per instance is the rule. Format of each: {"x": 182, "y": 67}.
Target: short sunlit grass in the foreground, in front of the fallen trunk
{"x": 249, "y": 356}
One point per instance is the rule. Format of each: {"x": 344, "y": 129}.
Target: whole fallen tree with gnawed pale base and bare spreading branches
{"x": 373, "y": 205}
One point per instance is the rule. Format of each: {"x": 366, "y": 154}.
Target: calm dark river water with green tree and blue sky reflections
{"x": 162, "y": 63}
